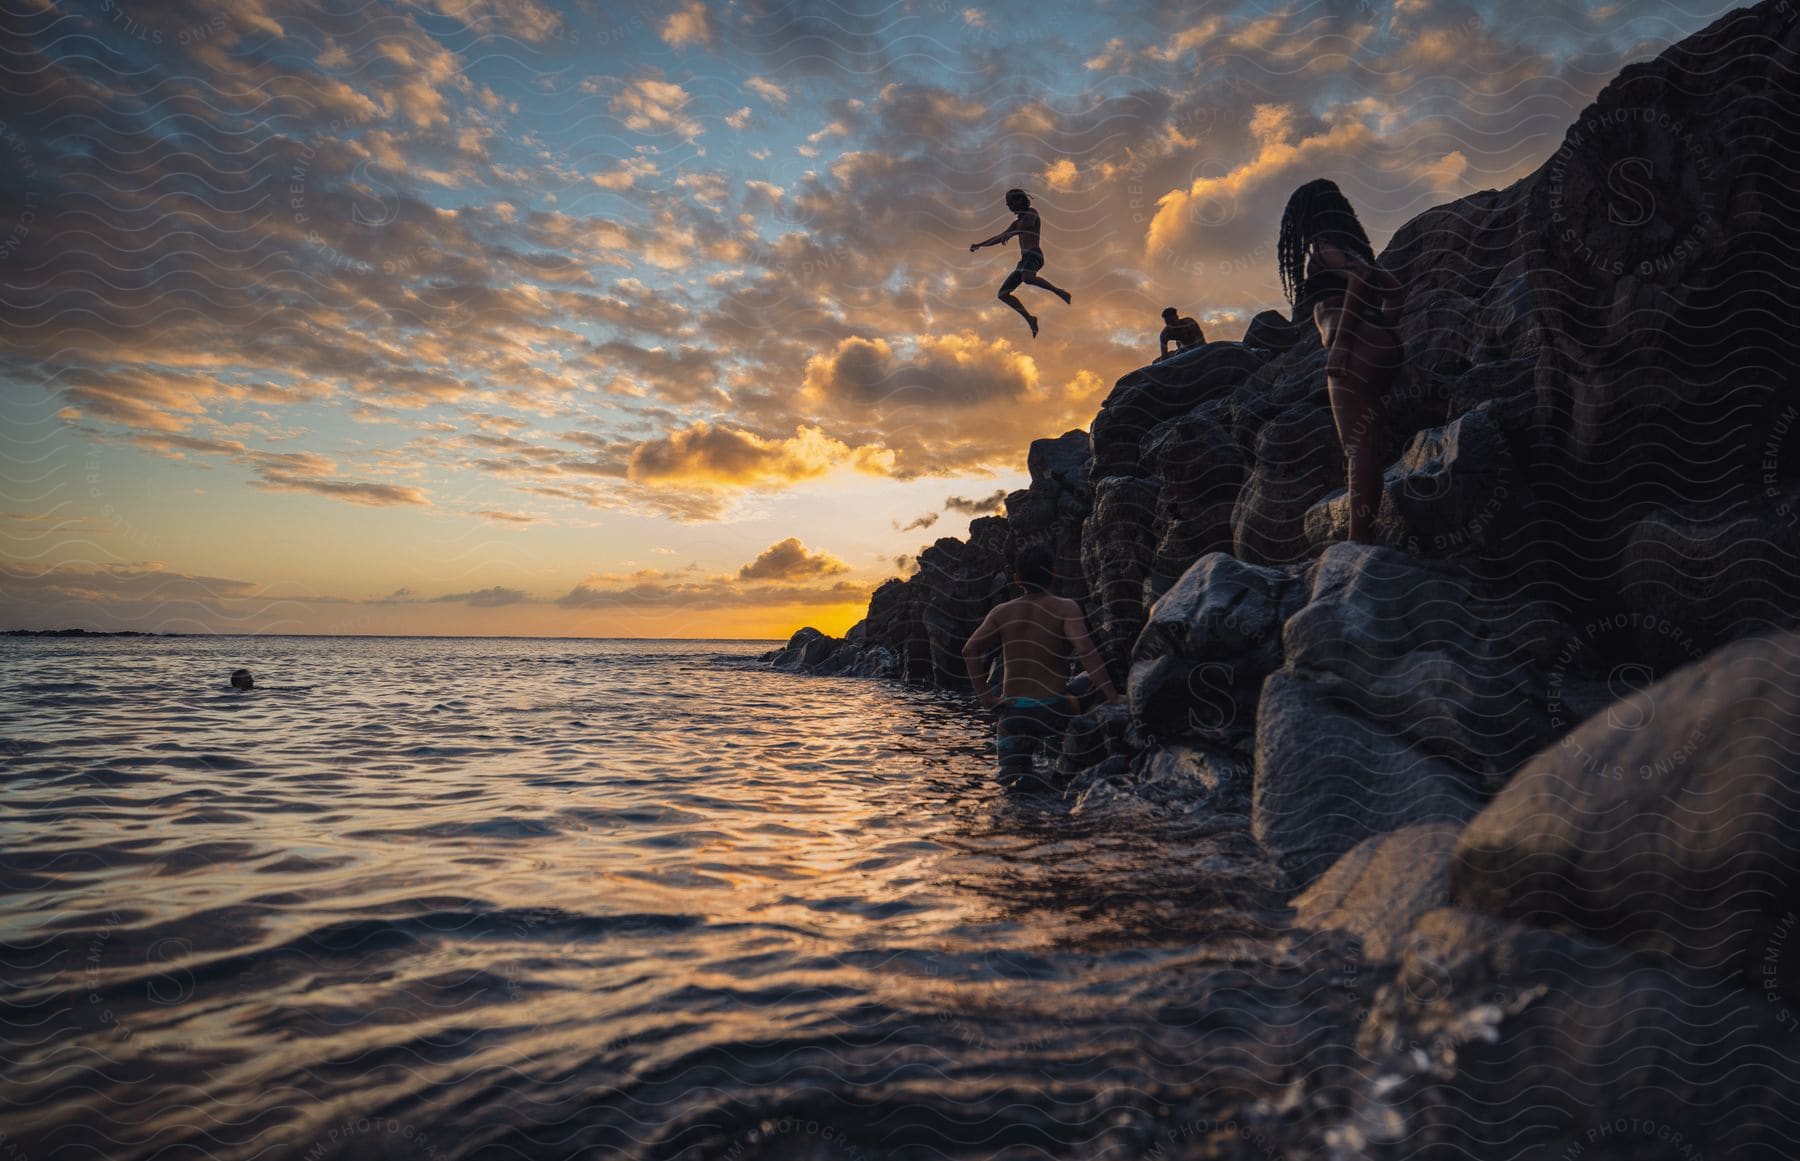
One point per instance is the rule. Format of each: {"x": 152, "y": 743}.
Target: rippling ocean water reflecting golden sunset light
{"x": 604, "y": 899}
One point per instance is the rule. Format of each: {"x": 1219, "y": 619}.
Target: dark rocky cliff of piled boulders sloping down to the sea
{"x": 1594, "y": 485}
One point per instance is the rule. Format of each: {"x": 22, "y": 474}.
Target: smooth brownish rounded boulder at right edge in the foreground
{"x": 1669, "y": 823}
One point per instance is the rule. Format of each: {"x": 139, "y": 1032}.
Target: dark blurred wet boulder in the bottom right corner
{"x": 1525, "y": 1045}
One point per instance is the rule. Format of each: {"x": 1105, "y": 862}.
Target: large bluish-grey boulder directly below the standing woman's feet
{"x": 1405, "y": 697}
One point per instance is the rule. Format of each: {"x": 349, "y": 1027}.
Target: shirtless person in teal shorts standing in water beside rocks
{"x": 1038, "y": 633}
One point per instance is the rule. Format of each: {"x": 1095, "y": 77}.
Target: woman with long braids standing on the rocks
{"x": 1327, "y": 262}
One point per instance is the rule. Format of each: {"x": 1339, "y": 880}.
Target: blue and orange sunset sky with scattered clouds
{"x": 606, "y": 319}
